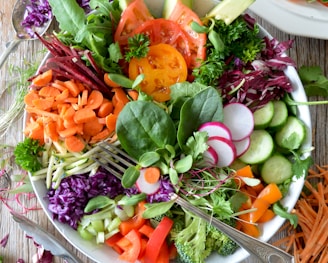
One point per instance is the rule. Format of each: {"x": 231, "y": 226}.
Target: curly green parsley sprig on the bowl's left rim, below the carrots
{"x": 27, "y": 155}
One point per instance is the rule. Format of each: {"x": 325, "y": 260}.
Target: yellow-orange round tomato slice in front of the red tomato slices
{"x": 163, "y": 66}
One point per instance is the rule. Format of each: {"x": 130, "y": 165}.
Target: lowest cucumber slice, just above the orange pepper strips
{"x": 276, "y": 169}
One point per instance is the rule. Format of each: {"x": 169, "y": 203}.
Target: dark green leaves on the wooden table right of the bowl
{"x": 314, "y": 81}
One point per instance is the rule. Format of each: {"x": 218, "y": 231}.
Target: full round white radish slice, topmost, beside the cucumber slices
{"x": 239, "y": 119}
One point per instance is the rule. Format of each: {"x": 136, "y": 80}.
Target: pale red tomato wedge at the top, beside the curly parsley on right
{"x": 183, "y": 15}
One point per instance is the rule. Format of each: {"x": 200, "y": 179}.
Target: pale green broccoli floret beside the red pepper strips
{"x": 190, "y": 242}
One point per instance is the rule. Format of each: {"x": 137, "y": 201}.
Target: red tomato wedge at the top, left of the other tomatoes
{"x": 134, "y": 15}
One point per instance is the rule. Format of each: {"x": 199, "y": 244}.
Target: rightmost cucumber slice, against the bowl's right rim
{"x": 292, "y": 134}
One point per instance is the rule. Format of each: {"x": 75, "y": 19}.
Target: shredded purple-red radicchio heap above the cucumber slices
{"x": 256, "y": 83}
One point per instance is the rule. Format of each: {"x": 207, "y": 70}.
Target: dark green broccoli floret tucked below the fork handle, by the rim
{"x": 219, "y": 242}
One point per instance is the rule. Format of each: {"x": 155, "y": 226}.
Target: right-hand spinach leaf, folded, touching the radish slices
{"x": 205, "y": 106}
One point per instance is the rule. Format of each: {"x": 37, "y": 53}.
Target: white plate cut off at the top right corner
{"x": 296, "y": 17}
